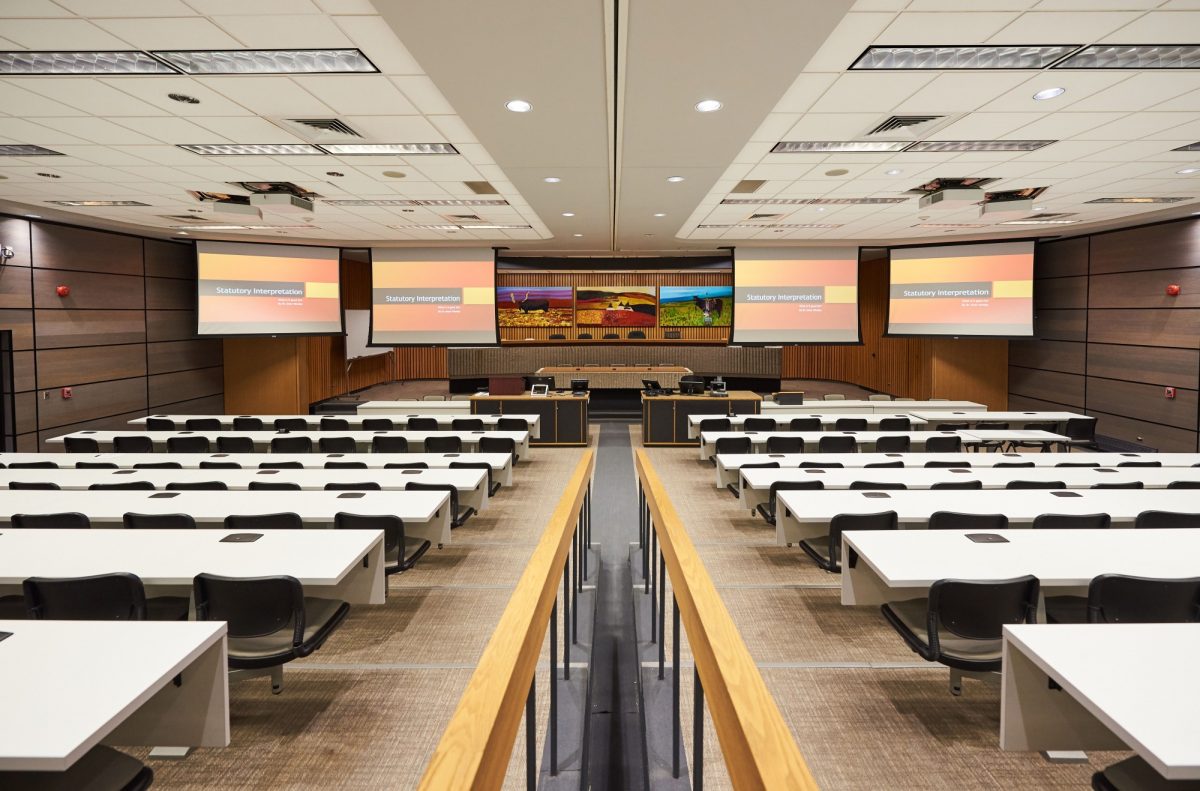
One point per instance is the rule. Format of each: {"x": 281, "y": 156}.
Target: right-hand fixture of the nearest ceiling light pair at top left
{"x": 268, "y": 62}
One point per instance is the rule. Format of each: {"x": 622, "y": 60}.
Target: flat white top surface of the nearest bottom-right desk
{"x": 1138, "y": 680}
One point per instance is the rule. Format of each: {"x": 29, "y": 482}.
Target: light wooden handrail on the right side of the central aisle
{"x": 760, "y": 751}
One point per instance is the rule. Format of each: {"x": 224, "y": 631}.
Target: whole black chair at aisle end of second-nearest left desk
{"x": 271, "y": 621}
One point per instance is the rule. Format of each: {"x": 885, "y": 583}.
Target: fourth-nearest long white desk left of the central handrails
{"x": 471, "y": 484}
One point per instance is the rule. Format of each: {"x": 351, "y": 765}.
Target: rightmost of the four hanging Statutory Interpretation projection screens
{"x": 963, "y": 290}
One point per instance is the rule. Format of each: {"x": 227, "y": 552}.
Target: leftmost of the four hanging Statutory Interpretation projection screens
{"x": 267, "y": 290}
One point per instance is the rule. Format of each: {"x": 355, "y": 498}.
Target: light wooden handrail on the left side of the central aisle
{"x": 478, "y": 742}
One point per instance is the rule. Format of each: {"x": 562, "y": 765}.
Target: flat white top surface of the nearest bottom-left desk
{"x": 68, "y": 685}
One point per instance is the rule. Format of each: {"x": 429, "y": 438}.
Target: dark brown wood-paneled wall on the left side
{"x": 124, "y": 339}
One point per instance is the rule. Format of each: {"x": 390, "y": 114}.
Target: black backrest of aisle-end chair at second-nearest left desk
{"x": 253, "y": 607}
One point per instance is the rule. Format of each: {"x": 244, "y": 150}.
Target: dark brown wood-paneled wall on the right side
{"x": 1111, "y": 339}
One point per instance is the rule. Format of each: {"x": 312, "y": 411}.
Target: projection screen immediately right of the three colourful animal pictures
{"x": 796, "y": 296}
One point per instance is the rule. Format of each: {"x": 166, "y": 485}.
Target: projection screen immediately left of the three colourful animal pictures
{"x": 434, "y": 297}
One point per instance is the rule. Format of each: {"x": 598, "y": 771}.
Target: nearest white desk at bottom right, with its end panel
{"x": 1118, "y": 687}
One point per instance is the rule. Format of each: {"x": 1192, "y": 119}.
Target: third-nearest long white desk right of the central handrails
{"x": 807, "y": 514}
